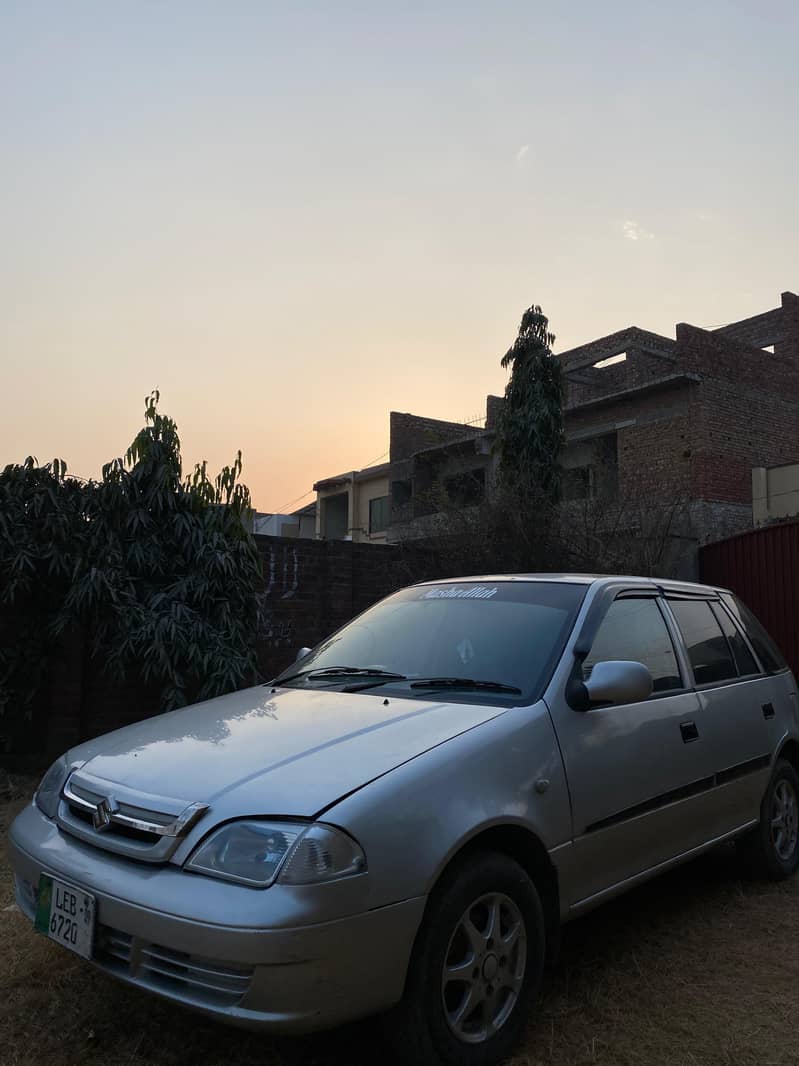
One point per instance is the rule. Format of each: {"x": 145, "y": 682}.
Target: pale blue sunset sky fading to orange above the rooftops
{"x": 293, "y": 218}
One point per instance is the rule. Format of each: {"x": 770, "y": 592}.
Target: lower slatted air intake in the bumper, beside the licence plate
{"x": 161, "y": 970}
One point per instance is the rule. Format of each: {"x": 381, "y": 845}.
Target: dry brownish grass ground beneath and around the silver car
{"x": 696, "y": 968}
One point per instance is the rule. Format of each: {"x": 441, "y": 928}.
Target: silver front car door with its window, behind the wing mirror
{"x": 639, "y": 774}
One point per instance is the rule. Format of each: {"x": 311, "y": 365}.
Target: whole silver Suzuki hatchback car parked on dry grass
{"x": 402, "y": 820}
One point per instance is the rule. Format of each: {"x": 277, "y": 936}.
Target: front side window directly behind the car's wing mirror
{"x": 635, "y": 629}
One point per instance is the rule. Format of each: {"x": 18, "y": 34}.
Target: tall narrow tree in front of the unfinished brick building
{"x": 531, "y": 430}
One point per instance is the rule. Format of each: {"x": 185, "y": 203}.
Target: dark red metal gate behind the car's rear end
{"x": 762, "y": 567}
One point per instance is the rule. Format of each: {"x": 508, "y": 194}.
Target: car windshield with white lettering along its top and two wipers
{"x": 474, "y": 641}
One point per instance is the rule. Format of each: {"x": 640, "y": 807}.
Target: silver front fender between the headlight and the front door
{"x": 412, "y": 823}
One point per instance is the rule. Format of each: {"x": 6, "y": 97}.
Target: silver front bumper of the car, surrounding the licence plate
{"x": 289, "y": 980}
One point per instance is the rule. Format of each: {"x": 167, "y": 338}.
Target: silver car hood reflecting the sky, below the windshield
{"x": 273, "y": 752}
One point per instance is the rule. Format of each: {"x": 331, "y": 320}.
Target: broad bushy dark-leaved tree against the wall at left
{"x": 159, "y": 572}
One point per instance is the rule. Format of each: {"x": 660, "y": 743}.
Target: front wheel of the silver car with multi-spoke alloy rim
{"x": 476, "y": 970}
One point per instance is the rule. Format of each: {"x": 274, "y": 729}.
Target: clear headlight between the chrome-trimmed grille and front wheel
{"x": 260, "y": 853}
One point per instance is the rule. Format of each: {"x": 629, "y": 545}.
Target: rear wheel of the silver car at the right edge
{"x": 772, "y": 850}
